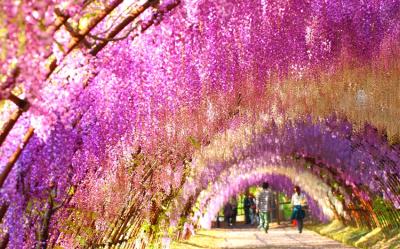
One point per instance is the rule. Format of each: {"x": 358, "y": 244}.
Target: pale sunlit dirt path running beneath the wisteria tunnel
{"x": 277, "y": 238}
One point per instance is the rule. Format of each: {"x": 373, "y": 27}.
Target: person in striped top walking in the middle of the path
{"x": 264, "y": 204}
